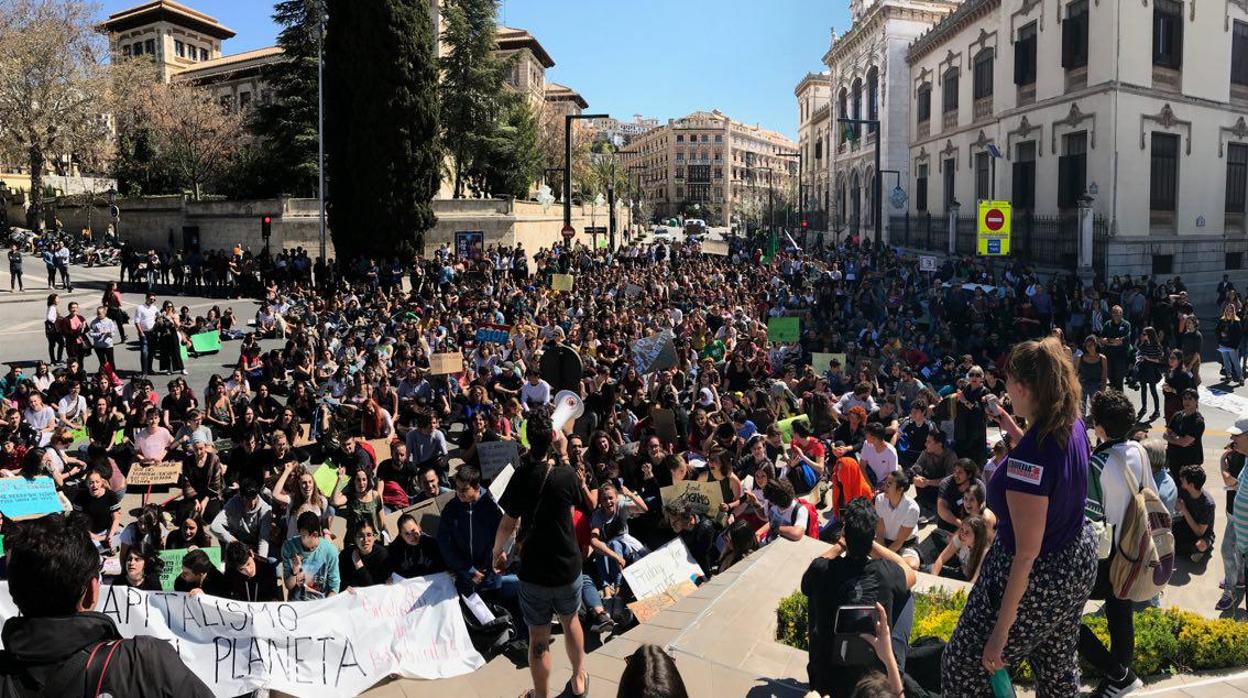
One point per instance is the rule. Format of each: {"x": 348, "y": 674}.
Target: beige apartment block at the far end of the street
{"x": 709, "y": 167}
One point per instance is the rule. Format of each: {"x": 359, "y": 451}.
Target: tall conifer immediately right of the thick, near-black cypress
{"x": 475, "y": 99}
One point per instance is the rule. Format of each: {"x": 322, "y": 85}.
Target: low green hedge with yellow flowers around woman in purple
{"x": 1168, "y": 641}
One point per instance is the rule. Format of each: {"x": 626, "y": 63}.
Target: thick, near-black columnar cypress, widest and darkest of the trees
{"x": 383, "y": 154}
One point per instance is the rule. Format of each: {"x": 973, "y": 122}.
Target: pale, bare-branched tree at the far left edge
{"x": 54, "y": 89}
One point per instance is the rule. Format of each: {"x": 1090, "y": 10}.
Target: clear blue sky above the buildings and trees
{"x": 660, "y": 58}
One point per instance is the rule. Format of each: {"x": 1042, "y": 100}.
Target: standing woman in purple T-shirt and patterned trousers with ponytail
{"x": 1040, "y": 570}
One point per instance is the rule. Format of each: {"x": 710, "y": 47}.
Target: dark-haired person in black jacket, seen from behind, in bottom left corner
{"x": 54, "y": 581}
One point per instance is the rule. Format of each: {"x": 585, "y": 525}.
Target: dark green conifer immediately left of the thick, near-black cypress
{"x": 286, "y": 124}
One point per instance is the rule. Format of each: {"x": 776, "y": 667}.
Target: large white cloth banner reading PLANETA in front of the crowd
{"x": 329, "y": 649}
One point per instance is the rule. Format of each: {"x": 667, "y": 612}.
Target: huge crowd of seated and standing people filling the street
{"x": 884, "y": 450}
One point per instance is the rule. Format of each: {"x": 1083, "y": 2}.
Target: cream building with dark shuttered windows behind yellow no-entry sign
{"x": 1123, "y": 123}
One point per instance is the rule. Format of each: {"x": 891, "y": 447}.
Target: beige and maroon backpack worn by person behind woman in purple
{"x": 1145, "y": 559}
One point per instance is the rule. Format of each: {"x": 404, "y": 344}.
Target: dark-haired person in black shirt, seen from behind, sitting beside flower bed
{"x": 856, "y": 571}
